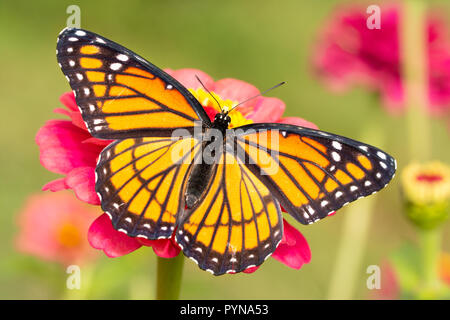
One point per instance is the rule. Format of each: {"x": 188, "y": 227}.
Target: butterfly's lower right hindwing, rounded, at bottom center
{"x": 236, "y": 225}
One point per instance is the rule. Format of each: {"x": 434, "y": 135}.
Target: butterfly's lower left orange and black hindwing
{"x": 140, "y": 183}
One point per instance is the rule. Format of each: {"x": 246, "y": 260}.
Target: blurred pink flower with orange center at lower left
{"x": 54, "y": 227}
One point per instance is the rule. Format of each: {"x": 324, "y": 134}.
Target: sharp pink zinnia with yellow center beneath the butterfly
{"x": 66, "y": 147}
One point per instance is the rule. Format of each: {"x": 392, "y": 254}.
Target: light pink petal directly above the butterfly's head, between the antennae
{"x": 237, "y": 90}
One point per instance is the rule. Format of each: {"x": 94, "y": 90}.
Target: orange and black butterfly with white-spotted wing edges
{"x": 225, "y": 213}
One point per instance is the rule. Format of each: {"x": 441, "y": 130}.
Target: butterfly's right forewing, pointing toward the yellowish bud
{"x": 312, "y": 173}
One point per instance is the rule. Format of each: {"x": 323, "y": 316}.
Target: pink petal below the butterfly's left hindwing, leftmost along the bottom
{"x": 114, "y": 243}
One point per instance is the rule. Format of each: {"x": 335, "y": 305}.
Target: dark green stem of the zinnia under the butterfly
{"x": 169, "y": 273}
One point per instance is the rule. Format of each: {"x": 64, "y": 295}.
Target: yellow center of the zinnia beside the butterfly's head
{"x": 237, "y": 118}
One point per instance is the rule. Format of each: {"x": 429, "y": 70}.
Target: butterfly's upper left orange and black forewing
{"x": 121, "y": 95}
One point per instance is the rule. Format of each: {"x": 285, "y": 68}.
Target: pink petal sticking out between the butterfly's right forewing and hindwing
{"x": 293, "y": 249}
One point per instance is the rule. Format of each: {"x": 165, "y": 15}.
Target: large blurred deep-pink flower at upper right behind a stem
{"x": 349, "y": 53}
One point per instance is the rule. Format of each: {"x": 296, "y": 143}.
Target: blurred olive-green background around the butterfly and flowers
{"x": 261, "y": 42}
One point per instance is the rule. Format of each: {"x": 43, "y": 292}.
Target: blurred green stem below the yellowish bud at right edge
{"x": 430, "y": 246}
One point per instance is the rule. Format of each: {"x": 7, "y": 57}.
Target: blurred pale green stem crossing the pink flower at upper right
{"x": 414, "y": 57}
